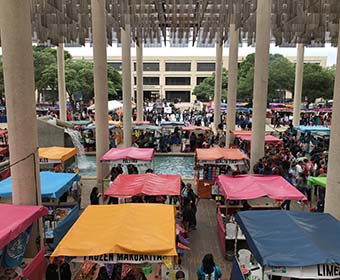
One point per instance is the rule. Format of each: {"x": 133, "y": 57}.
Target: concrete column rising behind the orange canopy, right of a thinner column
{"x": 232, "y": 82}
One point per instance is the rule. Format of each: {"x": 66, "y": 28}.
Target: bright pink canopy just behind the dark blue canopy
{"x": 255, "y": 186}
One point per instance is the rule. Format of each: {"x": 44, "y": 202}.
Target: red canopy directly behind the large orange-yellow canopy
{"x": 127, "y": 185}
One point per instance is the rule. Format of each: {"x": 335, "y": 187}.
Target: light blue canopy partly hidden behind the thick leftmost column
{"x": 53, "y": 185}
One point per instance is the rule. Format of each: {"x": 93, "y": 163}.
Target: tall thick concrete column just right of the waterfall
{"x": 100, "y": 83}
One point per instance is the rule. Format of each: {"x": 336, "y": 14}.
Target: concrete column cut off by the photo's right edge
{"x": 333, "y": 174}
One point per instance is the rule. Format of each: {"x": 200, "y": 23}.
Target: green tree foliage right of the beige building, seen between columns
{"x": 317, "y": 82}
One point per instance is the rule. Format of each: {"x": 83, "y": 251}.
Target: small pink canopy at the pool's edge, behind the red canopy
{"x": 131, "y": 153}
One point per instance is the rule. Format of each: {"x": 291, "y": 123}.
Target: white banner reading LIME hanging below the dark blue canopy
{"x": 320, "y": 271}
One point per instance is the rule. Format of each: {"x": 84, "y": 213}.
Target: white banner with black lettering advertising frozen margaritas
{"x": 121, "y": 258}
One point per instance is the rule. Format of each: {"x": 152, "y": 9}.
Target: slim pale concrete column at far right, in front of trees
{"x": 298, "y": 83}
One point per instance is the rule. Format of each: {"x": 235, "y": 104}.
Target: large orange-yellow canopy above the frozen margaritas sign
{"x": 134, "y": 229}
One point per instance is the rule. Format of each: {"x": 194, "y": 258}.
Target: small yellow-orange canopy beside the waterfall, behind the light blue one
{"x": 56, "y": 154}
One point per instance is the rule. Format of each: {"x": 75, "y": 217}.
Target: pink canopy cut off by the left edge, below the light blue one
{"x": 15, "y": 219}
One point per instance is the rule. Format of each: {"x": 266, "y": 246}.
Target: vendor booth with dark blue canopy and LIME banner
{"x": 289, "y": 244}
